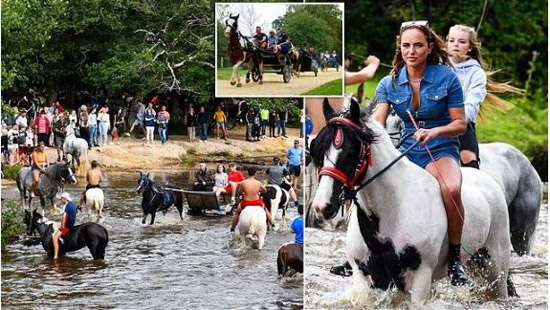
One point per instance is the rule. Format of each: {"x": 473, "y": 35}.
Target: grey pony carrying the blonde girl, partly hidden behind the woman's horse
{"x": 518, "y": 179}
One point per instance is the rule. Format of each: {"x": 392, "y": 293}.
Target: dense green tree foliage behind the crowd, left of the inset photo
{"x": 114, "y": 46}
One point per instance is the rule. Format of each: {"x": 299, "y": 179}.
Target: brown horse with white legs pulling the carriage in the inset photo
{"x": 237, "y": 53}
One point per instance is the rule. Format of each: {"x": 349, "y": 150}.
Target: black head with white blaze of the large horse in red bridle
{"x": 342, "y": 151}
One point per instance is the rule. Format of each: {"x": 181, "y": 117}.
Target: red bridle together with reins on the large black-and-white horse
{"x": 352, "y": 185}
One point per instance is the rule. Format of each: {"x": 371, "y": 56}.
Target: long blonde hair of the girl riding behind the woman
{"x": 493, "y": 87}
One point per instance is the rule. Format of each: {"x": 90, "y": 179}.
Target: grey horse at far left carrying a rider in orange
{"x": 51, "y": 183}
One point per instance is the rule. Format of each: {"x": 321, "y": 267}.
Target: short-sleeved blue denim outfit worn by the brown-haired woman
{"x": 440, "y": 90}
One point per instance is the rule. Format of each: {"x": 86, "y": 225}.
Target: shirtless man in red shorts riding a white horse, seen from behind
{"x": 251, "y": 197}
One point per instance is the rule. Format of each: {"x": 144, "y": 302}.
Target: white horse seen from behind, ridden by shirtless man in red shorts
{"x": 252, "y": 226}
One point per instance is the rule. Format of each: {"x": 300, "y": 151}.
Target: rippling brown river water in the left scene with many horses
{"x": 171, "y": 265}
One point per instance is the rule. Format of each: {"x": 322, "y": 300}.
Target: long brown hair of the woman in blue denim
{"x": 438, "y": 55}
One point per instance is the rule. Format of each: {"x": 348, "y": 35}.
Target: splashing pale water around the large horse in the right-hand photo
{"x": 325, "y": 290}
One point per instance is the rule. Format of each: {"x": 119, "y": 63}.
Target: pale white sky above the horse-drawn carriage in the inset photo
{"x": 266, "y": 13}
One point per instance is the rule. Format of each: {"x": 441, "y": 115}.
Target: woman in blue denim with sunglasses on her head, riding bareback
{"x": 423, "y": 83}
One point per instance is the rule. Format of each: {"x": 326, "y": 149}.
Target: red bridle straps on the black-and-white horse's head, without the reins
{"x": 364, "y": 162}
